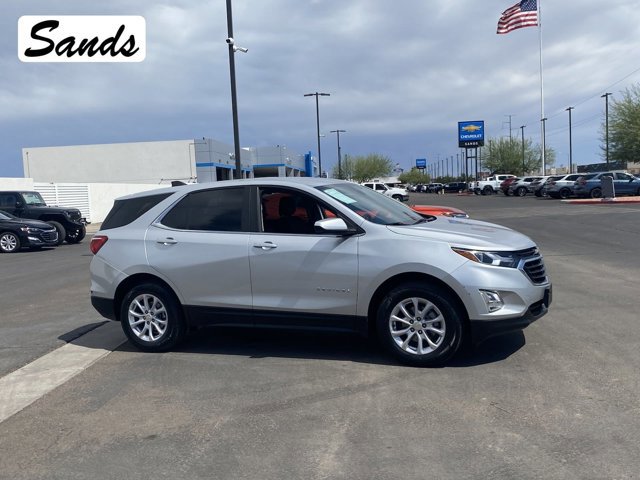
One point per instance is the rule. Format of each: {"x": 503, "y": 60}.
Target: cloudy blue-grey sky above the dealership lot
{"x": 401, "y": 74}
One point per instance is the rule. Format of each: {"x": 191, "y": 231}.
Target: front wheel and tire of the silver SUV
{"x": 442, "y": 339}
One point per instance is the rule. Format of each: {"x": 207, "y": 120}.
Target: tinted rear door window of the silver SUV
{"x": 218, "y": 210}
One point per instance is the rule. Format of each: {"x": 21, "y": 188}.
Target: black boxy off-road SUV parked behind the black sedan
{"x": 67, "y": 221}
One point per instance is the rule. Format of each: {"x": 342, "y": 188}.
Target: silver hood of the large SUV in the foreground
{"x": 467, "y": 233}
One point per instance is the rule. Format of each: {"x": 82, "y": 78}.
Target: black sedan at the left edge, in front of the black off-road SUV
{"x": 16, "y": 233}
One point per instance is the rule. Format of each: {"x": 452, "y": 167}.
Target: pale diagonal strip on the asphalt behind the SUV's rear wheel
{"x": 21, "y": 388}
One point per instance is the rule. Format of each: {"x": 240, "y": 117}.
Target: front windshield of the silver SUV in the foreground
{"x": 372, "y": 206}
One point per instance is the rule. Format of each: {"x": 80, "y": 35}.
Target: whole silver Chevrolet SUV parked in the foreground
{"x": 311, "y": 253}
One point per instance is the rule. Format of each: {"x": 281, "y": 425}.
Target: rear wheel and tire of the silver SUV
{"x": 157, "y": 311}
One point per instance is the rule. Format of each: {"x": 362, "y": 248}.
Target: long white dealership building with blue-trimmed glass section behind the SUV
{"x": 204, "y": 160}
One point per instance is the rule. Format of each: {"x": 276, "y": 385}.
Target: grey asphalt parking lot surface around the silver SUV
{"x": 560, "y": 400}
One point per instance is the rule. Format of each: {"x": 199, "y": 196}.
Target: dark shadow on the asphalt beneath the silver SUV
{"x": 265, "y": 343}
